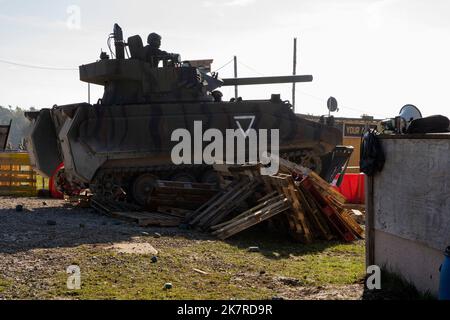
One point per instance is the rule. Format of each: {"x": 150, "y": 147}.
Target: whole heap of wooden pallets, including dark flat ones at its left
{"x": 296, "y": 198}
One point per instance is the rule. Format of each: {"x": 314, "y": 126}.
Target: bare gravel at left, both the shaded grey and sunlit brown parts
{"x": 35, "y": 243}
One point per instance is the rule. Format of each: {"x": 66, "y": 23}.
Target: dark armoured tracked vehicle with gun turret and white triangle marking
{"x": 123, "y": 143}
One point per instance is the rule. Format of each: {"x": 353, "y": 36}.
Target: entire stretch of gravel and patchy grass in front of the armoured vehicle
{"x": 117, "y": 260}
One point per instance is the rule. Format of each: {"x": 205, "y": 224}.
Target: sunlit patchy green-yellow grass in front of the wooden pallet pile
{"x": 232, "y": 272}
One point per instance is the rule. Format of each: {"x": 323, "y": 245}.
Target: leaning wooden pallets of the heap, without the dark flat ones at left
{"x": 310, "y": 207}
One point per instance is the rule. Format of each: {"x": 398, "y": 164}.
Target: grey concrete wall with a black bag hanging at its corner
{"x": 410, "y": 208}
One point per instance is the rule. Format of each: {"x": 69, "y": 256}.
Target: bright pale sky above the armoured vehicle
{"x": 374, "y": 56}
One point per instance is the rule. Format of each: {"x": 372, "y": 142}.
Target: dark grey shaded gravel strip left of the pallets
{"x": 33, "y": 229}
